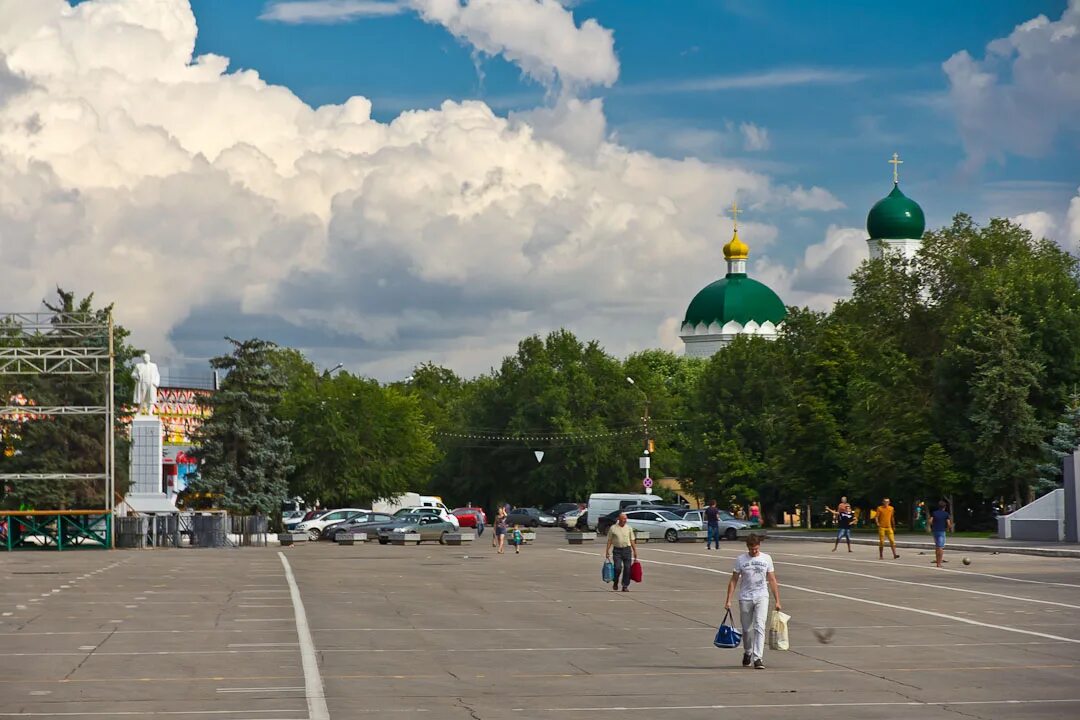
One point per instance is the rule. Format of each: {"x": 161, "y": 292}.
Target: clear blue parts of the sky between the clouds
{"x": 882, "y": 89}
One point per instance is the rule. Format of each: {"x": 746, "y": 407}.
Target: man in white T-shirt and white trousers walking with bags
{"x": 755, "y": 577}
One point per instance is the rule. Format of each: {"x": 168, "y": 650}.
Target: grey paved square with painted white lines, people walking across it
{"x": 462, "y": 633}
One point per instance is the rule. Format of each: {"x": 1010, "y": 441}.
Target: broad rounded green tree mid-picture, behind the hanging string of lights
{"x": 557, "y": 395}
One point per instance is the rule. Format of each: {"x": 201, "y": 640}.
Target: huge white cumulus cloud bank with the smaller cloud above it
{"x": 206, "y": 202}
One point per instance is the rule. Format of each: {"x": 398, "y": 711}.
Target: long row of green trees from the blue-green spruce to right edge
{"x": 955, "y": 375}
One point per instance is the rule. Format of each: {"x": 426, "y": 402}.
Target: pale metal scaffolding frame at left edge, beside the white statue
{"x": 83, "y": 345}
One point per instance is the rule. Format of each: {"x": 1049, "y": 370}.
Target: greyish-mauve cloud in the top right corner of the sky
{"x": 1023, "y": 93}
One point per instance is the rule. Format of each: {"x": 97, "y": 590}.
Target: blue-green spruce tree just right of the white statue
{"x": 245, "y": 451}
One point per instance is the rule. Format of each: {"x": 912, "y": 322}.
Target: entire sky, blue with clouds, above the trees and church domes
{"x": 387, "y": 183}
